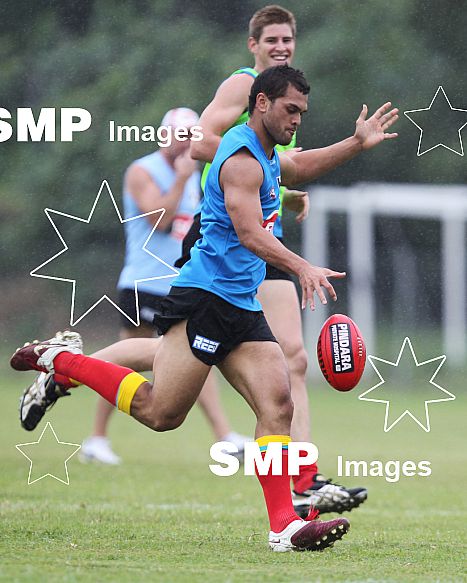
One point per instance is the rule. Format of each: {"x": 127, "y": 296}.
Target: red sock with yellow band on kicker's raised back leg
{"x": 117, "y": 384}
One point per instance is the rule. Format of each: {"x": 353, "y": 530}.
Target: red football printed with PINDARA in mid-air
{"x": 341, "y": 352}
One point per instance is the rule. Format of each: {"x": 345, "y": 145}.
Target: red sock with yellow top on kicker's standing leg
{"x": 276, "y": 489}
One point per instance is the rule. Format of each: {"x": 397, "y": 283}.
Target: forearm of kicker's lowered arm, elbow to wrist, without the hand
{"x": 266, "y": 246}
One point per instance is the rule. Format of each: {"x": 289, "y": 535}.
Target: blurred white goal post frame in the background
{"x": 361, "y": 204}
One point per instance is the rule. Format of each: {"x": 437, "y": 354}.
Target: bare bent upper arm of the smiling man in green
{"x": 229, "y": 103}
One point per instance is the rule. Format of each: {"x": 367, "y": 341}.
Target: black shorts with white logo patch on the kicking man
{"x": 214, "y": 327}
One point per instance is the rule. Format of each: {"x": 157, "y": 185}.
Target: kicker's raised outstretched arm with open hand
{"x": 300, "y": 167}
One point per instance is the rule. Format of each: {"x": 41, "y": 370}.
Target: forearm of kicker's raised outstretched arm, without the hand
{"x": 311, "y": 164}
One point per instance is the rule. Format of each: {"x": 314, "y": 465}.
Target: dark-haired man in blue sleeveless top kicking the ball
{"x": 214, "y": 300}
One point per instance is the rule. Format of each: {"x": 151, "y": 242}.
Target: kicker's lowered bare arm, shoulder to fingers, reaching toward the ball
{"x": 241, "y": 178}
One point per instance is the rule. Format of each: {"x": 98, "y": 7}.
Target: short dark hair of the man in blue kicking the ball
{"x": 274, "y": 81}
